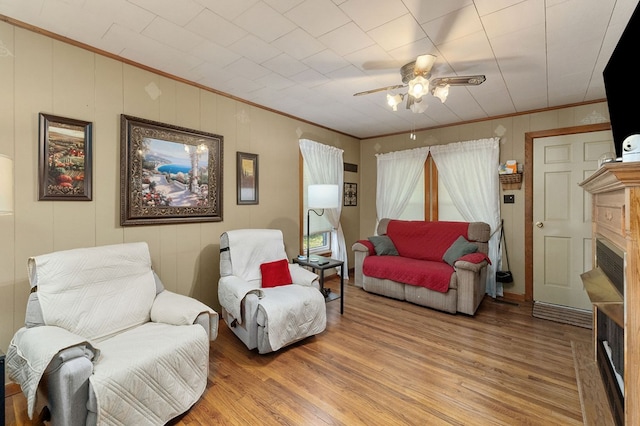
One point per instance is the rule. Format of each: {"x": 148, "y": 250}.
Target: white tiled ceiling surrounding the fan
{"x": 306, "y": 58}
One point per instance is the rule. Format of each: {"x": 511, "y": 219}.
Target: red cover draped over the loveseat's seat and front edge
{"x": 434, "y": 275}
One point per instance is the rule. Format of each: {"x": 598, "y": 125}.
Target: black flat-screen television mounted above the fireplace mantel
{"x": 621, "y": 89}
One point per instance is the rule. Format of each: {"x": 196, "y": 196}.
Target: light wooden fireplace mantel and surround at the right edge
{"x": 615, "y": 188}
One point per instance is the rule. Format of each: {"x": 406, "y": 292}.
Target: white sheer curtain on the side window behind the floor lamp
{"x": 326, "y": 166}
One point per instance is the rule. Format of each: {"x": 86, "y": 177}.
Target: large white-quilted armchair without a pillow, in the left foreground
{"x": 104, "y": 342}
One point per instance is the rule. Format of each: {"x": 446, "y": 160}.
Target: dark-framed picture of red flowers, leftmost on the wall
{"x": 64, "y": 159}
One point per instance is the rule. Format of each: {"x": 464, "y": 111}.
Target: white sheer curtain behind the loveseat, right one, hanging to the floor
{"x": 469, "y": 171}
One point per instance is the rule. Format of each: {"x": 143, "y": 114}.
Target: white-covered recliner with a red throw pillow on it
{"x": 266, "y": 301}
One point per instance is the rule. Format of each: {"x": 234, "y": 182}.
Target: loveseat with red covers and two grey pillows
{"x": 441, "y": 265}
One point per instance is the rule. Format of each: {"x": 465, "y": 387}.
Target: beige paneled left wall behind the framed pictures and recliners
{"x": 40, "y": 74}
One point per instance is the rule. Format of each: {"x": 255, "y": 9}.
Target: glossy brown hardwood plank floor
{"x": 387, "y": 362}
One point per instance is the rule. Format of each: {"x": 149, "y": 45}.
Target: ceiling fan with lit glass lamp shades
{"x": 416, "y": 75}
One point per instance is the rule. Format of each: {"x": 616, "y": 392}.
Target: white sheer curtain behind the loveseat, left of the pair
{"x": 398, "y": 174}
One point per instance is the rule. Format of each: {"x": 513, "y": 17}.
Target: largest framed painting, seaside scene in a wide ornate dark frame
{"x": 169, "y": 174}
